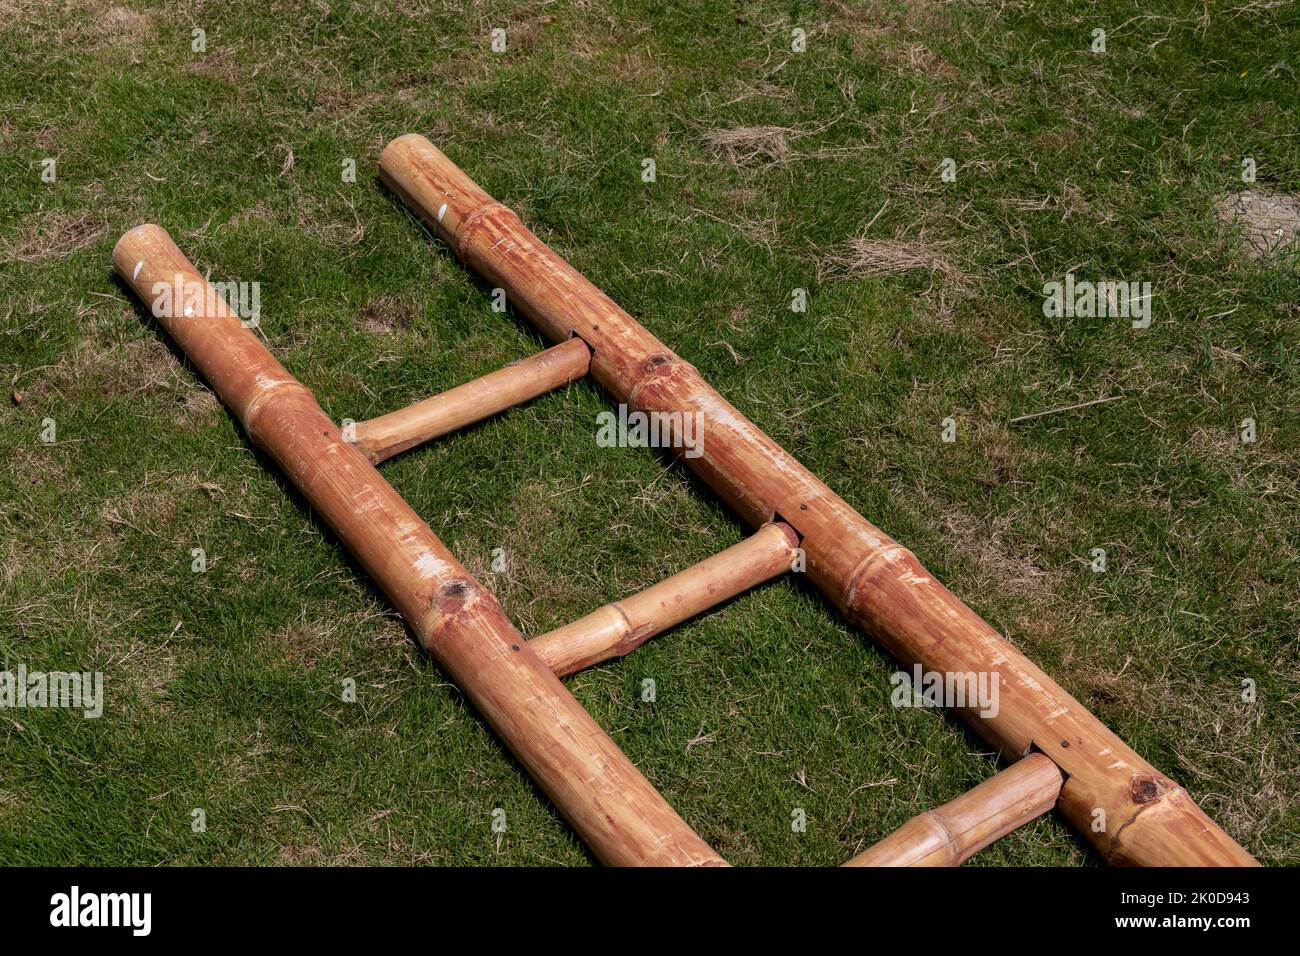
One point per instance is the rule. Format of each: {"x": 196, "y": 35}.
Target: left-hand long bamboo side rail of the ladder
{"x": 605, "y": 798}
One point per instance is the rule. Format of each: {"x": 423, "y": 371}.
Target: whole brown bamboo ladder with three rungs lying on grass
{"x": 1061, "y": 756}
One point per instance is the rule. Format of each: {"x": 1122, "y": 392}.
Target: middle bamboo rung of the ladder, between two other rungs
{"x": 622, "y": 628}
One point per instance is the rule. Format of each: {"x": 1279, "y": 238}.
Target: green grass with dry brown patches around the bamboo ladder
{"x": 224, "y": 689}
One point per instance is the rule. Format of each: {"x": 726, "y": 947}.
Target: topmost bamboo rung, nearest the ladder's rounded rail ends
{"x": 405, "y": 429}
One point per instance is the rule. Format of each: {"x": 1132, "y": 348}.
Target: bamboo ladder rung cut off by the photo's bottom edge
{"x": 951, "y": 834}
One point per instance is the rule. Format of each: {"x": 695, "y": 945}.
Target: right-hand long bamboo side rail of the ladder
{"x": 1132, "y": 812}
